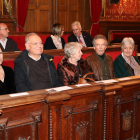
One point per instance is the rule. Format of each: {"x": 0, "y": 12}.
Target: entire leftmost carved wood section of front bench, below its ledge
{"x": 24, "y": 123}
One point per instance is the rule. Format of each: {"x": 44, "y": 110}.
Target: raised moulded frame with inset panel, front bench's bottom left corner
{"x": 10, "y": 128}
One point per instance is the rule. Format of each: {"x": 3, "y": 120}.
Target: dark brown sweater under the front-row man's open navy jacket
{"x": 38, "y": 74}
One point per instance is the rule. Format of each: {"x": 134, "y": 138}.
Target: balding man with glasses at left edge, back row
{"x": 6, "y": 43}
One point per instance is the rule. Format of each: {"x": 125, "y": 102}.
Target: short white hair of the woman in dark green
{"x": 127, "y": 40}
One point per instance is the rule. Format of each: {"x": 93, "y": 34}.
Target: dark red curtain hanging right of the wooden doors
{"x": 95, "y": 6}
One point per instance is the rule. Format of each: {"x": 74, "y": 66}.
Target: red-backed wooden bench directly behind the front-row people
{"x": 114, "y": 51}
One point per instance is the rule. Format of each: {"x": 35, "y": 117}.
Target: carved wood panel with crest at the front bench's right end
{"x": 125, "y": 116}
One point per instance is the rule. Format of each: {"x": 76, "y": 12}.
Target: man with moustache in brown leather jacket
{"x": 100, "y": 63}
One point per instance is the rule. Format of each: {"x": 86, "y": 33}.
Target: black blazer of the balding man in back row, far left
{"x": 11, "y": 45}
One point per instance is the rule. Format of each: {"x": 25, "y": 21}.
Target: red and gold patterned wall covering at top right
{"x": 124, "y": 10}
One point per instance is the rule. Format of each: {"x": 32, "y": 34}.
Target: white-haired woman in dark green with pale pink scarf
{"x": 125, "y": 64}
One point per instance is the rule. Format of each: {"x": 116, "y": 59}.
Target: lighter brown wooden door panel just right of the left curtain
{"x": 42, "y": 15}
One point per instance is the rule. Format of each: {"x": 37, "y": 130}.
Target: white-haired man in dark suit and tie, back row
{"x": 78, "y": 36}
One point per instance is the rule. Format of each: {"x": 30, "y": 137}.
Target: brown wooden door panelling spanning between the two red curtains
{"x": 59, "y": 11}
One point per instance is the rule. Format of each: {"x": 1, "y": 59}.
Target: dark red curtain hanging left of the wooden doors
{"x": 22, "y": 8}
